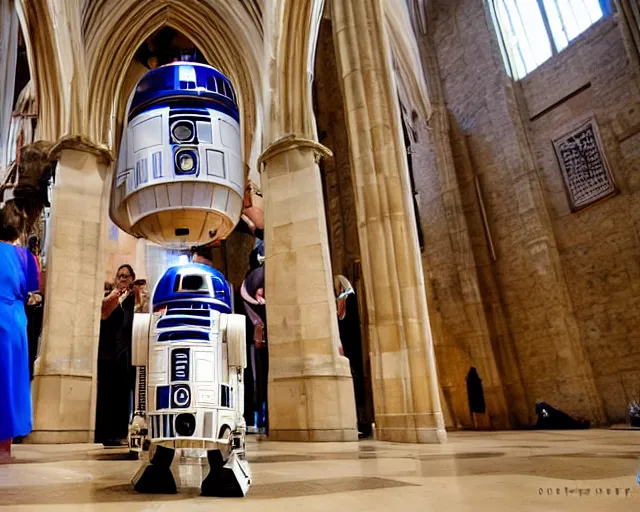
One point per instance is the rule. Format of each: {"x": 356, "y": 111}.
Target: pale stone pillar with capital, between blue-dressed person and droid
{"x": 64, "y": 387}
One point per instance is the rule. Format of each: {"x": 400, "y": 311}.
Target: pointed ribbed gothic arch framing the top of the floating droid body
{"x": 111, "y": 44}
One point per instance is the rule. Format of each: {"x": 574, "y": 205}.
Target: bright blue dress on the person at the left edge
{"x": 18, "y": 276}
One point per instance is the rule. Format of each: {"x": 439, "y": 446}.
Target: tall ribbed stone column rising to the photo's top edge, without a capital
{"x": 406, "y": 396}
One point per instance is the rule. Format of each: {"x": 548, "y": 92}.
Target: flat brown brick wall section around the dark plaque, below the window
{"x": 599, "y": 246}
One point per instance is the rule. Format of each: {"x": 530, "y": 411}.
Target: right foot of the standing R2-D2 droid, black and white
{"x": 230, "y": 480}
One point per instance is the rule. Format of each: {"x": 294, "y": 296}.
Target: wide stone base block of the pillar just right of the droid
{"x": 312, "y": 408}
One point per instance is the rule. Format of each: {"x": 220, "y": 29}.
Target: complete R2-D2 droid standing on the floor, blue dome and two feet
{"x": 190, "y": 355}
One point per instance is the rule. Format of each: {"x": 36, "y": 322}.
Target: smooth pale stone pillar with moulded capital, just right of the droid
{"x": 310, "y": 388}
